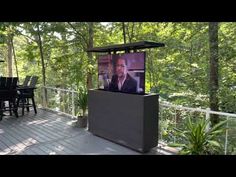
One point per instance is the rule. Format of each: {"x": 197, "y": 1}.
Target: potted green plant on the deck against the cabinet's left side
{"x": 83, "y": 104}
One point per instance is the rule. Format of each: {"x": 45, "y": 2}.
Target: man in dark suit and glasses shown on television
{"x": 121, "y": 80}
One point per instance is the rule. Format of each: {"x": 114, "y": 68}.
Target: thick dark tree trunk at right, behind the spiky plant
{"x": 213, "y": 81}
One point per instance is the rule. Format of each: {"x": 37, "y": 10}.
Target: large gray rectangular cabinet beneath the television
{"x": 127, "y": 119}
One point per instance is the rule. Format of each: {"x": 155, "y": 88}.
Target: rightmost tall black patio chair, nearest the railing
{"x": 25, "y": 93}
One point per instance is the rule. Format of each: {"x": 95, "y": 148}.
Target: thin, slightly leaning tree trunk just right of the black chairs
{"x": 39, "y": 42}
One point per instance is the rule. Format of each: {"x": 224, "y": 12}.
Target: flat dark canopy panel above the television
{"x": 127, "y": 47}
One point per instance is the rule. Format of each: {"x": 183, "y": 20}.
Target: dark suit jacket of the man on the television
{"x": 129, "y": 86}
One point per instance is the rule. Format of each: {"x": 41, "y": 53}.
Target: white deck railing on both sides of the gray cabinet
{"x": 170, "y": 116}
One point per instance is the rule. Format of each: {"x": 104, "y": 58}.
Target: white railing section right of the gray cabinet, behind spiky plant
{"x": 174, "y": 116}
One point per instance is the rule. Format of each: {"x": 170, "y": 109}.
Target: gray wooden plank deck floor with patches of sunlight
{"x": 49, "y": 133}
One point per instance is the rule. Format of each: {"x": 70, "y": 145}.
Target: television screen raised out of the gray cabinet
{"x": 122, "y": 72}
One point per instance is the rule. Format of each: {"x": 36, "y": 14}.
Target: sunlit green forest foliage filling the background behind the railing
{"x": 178, "y": 71}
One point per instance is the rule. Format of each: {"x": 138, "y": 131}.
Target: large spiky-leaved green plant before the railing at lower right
{"x": 198, "y": 139}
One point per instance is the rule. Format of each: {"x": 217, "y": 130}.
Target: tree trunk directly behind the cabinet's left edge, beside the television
{"x": 90, "y": 56}
